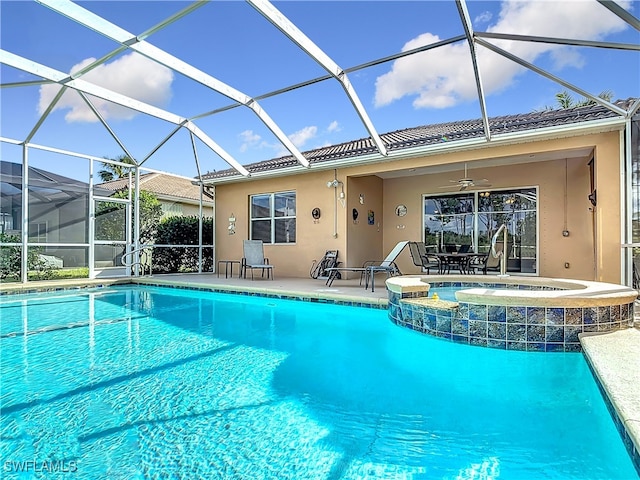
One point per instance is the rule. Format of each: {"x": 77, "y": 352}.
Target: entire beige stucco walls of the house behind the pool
{"x": 588, "y": 226}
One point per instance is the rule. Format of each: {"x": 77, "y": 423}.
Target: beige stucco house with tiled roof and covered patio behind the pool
{"x": 553, "y": 177}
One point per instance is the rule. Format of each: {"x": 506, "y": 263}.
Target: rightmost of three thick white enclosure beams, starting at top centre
{"x": 282, "y": 23}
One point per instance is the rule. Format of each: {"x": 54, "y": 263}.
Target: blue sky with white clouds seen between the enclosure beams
{"x": 233, "y": 42}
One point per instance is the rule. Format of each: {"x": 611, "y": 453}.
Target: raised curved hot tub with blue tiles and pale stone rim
{"x": 513, "y": 313}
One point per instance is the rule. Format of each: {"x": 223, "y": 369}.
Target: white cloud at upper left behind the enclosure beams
{"x": 132, "y": 75}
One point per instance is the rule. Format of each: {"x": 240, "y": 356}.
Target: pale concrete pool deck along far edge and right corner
{"x": 614, "y": 356}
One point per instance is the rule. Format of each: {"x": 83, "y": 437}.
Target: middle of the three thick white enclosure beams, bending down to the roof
{"x": 126, "y": 39}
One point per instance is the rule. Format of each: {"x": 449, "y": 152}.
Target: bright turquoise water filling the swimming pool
{"x": 162, "y": 383}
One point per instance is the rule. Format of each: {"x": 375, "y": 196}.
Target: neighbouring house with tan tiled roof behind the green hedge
{"x": 178, "y": 196}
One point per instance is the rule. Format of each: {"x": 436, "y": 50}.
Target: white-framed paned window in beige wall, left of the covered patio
{"x": 273, "y": 217}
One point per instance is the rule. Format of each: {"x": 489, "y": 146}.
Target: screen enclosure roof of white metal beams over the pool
{"x": 292, "y": 59}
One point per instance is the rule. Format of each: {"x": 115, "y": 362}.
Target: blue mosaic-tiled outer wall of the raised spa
{"x": 544, "y": 329}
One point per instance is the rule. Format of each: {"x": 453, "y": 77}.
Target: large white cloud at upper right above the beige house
{"x": 443, "y": 77}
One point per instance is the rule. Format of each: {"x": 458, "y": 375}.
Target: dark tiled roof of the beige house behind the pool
{"x": 436, "y": 134}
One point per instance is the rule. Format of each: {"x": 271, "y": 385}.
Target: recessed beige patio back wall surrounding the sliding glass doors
{"x": 553, "y": 248}
